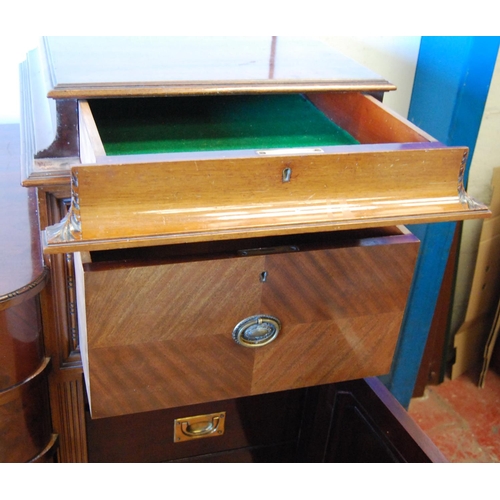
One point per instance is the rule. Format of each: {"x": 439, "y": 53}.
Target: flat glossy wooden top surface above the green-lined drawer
{"x": 83, "y": 67}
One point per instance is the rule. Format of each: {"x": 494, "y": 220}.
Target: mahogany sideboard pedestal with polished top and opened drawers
{"x": 223, "y": 299}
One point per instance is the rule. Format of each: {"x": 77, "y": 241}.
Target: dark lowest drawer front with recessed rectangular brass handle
{"x": 262, "y": 428}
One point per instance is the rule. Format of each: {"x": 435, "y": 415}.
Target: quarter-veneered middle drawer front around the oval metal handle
{"x": 161, "y": 335}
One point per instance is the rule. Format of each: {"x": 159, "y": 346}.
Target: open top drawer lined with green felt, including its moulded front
{"x": 380, "y": 170}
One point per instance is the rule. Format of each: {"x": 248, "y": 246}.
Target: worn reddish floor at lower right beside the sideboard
{"x": 462, "y": 419}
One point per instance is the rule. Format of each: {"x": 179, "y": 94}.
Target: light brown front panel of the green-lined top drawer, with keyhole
{"x": 186, "y": 200}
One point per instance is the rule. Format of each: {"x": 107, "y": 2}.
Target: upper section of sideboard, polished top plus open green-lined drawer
{"x": 268, "y": 136}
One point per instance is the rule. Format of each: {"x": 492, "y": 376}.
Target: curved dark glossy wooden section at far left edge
{"x": 25, "y": 423}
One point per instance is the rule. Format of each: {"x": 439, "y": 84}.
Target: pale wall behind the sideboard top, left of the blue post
{"x": 392, "y": 57}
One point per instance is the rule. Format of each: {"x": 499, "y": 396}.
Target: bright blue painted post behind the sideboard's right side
{"x": 452, "y": 80}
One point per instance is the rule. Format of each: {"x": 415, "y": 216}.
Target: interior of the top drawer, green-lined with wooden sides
{"x": 195, "y": 124}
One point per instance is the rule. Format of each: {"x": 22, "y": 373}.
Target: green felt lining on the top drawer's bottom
{"x": 212, "y": 123}
